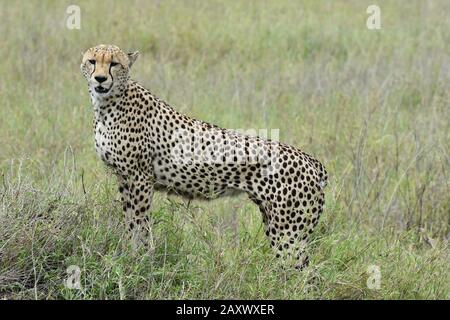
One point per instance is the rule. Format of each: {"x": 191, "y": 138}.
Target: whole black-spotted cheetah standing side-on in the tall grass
{"x": 150, "y": 146}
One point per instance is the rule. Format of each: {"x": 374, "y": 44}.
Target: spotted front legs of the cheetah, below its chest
{"x": 137, "y": 193}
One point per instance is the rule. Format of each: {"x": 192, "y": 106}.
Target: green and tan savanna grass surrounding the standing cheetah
{"x": 373, "y": 106}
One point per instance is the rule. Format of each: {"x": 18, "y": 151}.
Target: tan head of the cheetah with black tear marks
{"x": 106, "y": 68}
